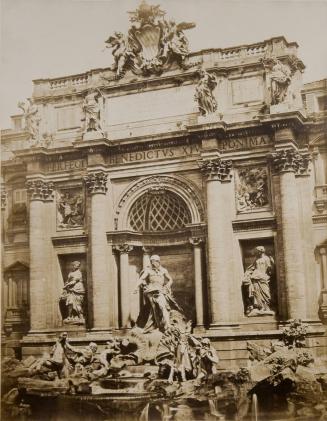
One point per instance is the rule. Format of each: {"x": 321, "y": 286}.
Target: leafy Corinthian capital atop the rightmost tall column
{"x": 290, "y": 160}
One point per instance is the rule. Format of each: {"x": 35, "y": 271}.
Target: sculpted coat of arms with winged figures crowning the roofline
{"x": 152, "y": 43}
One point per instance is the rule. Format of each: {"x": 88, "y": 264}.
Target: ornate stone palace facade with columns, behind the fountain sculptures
{"x": 200, "y": 158}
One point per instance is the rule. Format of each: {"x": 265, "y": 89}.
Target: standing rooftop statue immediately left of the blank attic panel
{"x": 92, "y": 111}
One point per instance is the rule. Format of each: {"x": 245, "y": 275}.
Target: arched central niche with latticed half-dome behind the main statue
{"x": 150, "y": 207}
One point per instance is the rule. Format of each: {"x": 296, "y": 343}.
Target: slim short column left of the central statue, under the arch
{"x": 125, "y": 292}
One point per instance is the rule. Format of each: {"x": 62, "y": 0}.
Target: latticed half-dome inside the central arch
{"x": 159, "y": 210}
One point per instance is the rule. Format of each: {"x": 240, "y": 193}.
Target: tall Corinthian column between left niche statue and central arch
{"x": 96, "y": 184}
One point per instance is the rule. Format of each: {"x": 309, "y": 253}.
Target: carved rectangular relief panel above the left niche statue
{"x": 70, "y": 209}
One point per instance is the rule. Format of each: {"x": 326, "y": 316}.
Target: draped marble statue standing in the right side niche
{"x": 256, "y": 284}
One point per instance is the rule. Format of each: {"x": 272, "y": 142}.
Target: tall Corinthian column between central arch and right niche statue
{"x": 220, "y": 235}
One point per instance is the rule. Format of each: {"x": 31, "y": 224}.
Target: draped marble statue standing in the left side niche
{"x": 73, "y": 296}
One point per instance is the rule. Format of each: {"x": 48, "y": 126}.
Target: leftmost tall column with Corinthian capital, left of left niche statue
{"x": 40, "y": 192}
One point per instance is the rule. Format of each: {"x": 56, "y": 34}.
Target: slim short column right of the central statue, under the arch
{"x": 198, "y": 279}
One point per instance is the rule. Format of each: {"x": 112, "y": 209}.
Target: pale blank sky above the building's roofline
{"x": 53, "y": 38}
